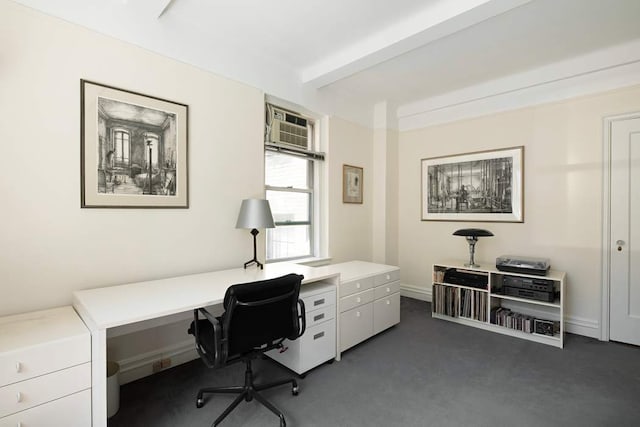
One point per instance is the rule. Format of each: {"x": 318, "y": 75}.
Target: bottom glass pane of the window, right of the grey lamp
{"x": 288, "y": 241}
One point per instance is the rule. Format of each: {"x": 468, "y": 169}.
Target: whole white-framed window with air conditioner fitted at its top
{"x": 291, "y": 188}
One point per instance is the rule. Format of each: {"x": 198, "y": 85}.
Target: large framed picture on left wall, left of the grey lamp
{"x": 133, "y": 149}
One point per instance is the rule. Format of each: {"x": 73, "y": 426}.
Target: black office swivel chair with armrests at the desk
{"x": 258, "y": 317}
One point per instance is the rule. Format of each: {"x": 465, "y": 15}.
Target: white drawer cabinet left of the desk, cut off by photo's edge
{"x": 45, "y": 369}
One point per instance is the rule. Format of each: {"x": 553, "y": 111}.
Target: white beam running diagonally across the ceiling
{"x": 438, "y": 20}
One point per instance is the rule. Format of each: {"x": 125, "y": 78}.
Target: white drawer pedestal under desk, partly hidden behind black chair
{"x": 318, "y": 344}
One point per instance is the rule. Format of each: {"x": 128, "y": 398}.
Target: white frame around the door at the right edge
{"x": 606, "y": 219}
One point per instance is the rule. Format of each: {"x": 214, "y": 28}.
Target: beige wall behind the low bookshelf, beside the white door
{"x": 563, "y": 194}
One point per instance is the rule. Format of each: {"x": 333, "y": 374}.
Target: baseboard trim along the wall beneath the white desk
{"x": 140, "y": 366}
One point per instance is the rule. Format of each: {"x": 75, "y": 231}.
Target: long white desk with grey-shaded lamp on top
{"x": 112, "y": 306}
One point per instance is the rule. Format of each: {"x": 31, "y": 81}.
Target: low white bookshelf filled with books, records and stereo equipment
{"x": 486, "y": 298}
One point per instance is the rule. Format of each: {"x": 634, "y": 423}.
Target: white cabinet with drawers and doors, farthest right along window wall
{"x": 369, "y": 300}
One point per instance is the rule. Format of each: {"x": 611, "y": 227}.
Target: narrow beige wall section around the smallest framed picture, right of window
{"x": 350, "y": 225}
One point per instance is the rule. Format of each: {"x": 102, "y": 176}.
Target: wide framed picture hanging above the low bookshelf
{"x": 485, "y": 186}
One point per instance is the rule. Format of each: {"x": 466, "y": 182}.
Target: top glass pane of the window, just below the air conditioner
{"x": 282, "y": 170}
